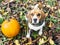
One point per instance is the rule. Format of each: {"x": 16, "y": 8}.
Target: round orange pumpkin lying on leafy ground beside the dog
{"x": 10, "y": 28}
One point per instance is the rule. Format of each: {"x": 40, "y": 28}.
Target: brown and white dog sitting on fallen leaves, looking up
{"x": 36, "y": 20}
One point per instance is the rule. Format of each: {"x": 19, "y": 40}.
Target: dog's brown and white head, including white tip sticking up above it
{"x": 35, "y": 15}
